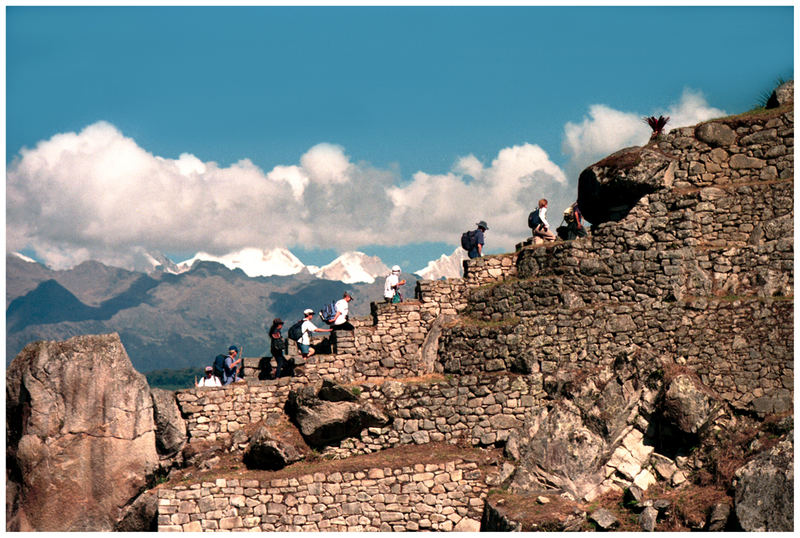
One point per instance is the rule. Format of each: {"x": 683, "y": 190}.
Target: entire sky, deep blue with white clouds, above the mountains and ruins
{"x": 326, "y": 129}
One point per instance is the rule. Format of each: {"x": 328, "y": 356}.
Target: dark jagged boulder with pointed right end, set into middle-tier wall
{"x": 324, "y": 422}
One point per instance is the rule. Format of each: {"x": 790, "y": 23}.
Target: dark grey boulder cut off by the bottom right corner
{"x": 764, "y": 493}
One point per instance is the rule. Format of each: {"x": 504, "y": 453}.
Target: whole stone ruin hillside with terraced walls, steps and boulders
{"x": 599, "y": 365}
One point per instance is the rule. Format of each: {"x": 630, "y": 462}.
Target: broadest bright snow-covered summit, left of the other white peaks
{"x": 253, "y": 261}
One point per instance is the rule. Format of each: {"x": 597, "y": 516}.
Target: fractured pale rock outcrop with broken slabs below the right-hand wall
{"x": 592, "y": 438}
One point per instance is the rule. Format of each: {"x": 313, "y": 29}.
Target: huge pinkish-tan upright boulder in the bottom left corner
{"x": 80, "y": 435}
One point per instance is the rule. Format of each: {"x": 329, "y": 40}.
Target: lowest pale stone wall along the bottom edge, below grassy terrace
{"x": 435, "y": 497}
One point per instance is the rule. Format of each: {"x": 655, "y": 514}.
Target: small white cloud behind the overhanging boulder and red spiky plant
{"x": 606, "y": 130}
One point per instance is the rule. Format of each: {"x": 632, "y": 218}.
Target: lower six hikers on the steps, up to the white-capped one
{"x": 227, "y": 367}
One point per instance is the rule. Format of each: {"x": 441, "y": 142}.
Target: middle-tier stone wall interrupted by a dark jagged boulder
{"x": 478, "y": 409}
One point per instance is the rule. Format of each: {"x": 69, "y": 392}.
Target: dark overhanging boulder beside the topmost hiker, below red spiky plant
{"x": 608, "y": 189}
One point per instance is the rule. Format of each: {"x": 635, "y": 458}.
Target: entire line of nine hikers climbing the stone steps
{"x": 227, "y": 368}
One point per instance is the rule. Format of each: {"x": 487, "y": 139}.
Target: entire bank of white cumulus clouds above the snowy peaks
{"x": 97, "y": 195}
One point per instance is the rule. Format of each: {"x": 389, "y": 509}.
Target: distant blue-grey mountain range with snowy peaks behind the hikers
{"x": 178, "y": 315}
